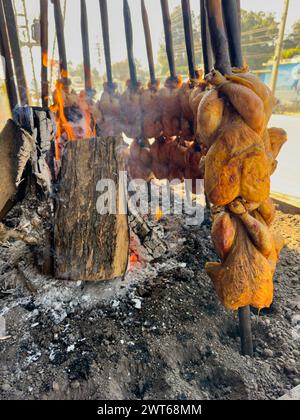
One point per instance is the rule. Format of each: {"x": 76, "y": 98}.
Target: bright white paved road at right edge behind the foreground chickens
{"x": 286, "y": 179}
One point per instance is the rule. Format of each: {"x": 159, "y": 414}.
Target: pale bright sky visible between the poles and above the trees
{"x": 118, "y": 45}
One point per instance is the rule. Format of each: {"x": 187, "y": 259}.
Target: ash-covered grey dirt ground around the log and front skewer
{"x": 159, "y": 334}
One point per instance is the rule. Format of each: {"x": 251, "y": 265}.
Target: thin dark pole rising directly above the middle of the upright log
{"x": 86, "y": 47}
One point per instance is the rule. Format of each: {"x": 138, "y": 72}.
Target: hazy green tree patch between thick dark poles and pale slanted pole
{"x": 259, "y": 34}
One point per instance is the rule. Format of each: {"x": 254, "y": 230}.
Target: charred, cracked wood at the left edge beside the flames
{"x": 25, "y": 154}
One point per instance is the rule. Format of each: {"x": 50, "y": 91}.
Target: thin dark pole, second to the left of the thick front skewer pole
{"x": 189, "y": 37}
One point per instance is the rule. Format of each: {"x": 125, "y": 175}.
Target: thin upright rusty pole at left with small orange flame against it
{"x": 44, "y": 48}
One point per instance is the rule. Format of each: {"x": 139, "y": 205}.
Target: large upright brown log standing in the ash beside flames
{"x": 90, "y": 246}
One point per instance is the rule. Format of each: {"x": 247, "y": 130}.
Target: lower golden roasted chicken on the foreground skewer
{"x": 249, "y": 252}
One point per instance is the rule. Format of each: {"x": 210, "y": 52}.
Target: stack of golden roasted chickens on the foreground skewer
{"x": 241, "y": 157}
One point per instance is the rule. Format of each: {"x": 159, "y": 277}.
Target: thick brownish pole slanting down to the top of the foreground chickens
{"x": 218, "y": 36}
